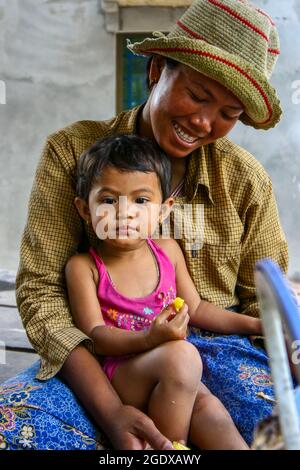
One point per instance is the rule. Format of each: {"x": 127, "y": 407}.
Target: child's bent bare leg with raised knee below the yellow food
{"x": 163, "y": 383}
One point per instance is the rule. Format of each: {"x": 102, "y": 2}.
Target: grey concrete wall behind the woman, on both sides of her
{"x": 57, "y": 63}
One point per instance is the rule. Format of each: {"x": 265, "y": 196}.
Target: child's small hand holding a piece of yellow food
{"x": 168, "y": 326}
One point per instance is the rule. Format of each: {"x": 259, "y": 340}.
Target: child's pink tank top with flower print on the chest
{"x": 136, "y": 313}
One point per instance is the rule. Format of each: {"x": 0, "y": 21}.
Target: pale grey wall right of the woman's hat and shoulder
{"x": 279, "y": 149}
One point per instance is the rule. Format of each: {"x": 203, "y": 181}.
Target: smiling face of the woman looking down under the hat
{"x": 186, "y": 109}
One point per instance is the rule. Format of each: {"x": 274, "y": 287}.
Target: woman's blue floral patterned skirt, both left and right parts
{"x": 47, "y": 415}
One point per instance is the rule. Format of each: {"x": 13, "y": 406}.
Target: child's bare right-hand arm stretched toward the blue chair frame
{"x": 204, "y": 314}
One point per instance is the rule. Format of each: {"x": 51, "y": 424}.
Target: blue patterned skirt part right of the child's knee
{"x": 235, "y": 371}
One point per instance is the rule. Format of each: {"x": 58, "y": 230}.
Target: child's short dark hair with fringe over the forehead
{"x": 127, "y": 153}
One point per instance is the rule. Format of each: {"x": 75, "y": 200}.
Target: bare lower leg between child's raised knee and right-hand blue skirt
{"x": 212, "y": 426}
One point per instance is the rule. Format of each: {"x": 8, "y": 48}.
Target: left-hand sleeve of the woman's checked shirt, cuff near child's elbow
{"x": 52, "y": 234}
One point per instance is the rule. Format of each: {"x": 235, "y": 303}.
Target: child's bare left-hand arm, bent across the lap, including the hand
{"x": 109, "y": 340}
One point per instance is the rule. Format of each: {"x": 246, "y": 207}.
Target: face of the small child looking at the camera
{"x": 125, "y": 206}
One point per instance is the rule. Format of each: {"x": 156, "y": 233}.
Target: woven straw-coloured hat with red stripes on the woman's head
{"x": 232, "y": 42}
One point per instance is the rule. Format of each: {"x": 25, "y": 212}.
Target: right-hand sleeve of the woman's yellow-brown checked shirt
{"x": 263, "y": 238}
